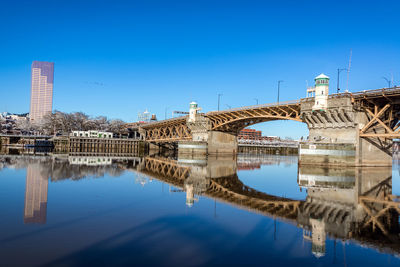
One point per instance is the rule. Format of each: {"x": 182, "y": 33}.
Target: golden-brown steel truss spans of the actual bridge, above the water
{"x": 381, "y": 107}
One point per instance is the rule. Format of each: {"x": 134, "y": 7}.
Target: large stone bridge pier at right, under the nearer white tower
{"x": 334, "y": 137}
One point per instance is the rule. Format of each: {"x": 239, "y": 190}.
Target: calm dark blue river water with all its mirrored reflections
{"x": 63, "y": 210}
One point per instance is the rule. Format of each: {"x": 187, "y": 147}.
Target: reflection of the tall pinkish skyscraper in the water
{"x": 35, "y": 195}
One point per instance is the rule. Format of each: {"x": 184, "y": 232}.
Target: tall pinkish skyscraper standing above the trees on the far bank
{"x": 41, "y": 89}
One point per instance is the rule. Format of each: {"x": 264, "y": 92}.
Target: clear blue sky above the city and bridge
{"x": 117, "y": 58}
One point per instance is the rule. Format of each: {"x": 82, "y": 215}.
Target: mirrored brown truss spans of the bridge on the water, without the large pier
{"x": 379, "y": 227}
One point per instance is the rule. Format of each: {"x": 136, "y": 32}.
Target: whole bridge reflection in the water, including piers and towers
{"x": 351, "y": 203}
